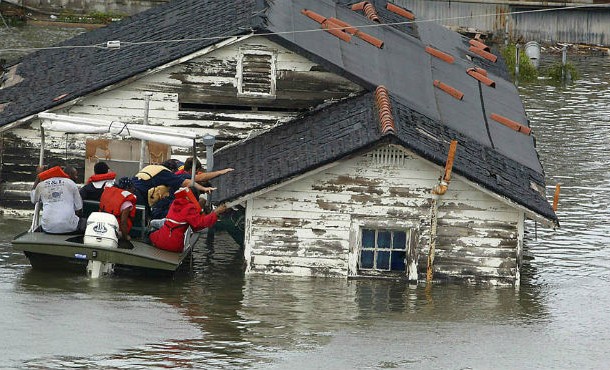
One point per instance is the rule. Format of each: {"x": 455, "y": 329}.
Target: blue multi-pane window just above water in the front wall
{"x": 383, "y": 250}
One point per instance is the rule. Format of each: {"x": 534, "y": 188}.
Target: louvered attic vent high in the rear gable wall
{"x": 256, "y": 73}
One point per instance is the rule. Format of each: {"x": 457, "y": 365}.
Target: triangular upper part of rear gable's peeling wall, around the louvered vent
{"x": 202, "y": 95}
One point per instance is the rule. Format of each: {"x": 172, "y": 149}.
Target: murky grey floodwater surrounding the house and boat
{"x": 218, "y": 317}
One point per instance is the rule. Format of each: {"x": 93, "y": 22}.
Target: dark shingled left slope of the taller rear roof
{"x": 55, "y": 76}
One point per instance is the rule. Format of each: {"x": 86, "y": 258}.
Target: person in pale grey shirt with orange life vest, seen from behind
{"x": 62, "y": 205}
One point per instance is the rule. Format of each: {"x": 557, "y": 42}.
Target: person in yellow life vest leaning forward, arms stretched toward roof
{"x": 153, "y": 176}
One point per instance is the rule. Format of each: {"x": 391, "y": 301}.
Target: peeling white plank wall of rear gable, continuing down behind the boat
{"x": 198, "y": 95}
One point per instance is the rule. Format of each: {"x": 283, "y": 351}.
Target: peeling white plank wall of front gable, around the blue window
{"x": 306, "y": 227}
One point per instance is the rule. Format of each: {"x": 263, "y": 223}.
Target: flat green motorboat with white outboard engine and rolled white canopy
{"x": 98, "y": 251}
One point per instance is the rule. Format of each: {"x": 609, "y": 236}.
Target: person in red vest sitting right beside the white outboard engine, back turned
{"x": 120, "y": 201}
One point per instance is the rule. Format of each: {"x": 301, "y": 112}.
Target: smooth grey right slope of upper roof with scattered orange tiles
{"x": 408, "y": 70}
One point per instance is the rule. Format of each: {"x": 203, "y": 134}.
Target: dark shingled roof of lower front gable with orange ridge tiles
{"x": 353, "y": 127}
